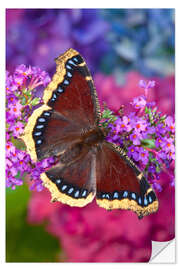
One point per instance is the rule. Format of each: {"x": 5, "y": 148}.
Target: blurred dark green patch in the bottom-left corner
{"x": 25, "y": 242}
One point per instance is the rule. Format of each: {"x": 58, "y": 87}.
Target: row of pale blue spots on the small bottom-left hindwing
{"x": 69, "y": 190}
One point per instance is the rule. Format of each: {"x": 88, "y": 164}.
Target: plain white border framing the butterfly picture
{"x": 74, "y": 4}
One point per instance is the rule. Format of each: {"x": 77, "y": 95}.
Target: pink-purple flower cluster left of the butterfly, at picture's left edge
{"x": 21, "y": 99}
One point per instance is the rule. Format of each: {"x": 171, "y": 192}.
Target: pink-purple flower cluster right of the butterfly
{"x": 147, "y": 135}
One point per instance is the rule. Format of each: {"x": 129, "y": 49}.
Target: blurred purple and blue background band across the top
{"x": 109, "y": 39}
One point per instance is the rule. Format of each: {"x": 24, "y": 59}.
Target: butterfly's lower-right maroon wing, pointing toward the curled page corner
{"x": 120, "y": 184}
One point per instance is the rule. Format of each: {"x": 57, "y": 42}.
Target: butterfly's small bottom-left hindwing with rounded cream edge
{"x": 74, "y": 183}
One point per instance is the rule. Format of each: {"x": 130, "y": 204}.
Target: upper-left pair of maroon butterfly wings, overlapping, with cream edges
{"x": 71, "y": 106}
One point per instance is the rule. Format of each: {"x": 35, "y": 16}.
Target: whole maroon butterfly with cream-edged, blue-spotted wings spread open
{"x": 67, "y": 126}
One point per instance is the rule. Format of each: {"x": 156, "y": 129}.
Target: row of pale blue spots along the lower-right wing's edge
{"x": 130, "y": 195}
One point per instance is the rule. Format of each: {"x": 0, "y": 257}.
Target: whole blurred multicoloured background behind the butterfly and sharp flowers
{"x": 121, "y": 47}
